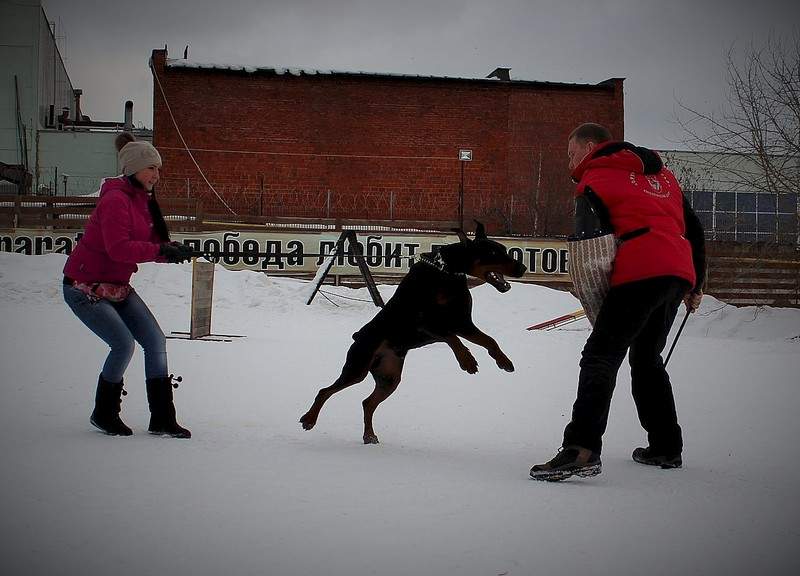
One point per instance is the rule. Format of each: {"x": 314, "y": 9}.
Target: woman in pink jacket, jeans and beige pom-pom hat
{"x": 125, "y": 228}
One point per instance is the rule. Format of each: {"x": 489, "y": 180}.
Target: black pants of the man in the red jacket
{"x": 636, "y": 316}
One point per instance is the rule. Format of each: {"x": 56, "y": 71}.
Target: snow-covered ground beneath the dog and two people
{"x": 446, "y": 492}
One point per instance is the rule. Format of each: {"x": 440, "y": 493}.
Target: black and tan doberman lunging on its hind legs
{"x": 431, "y": 304}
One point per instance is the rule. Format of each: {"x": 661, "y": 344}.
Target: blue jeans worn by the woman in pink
{"x": 120, "y": 325}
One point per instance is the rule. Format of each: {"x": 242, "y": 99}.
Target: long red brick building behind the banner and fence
{"x": 313, "y": 144}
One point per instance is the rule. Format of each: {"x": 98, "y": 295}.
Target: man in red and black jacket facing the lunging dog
{"x": 660, "y": 261}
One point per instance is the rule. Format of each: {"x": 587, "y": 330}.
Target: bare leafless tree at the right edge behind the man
{"x": 754, "y": 140}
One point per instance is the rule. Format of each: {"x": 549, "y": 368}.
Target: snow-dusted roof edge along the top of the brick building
{"x": 282, "y": 70}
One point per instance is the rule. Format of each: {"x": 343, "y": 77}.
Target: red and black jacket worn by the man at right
{"x": 661, "y": 235}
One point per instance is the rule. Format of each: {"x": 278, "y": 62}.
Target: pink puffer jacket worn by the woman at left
{"x": 118, "y": 235}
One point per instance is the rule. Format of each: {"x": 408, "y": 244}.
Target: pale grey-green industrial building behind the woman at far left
{"x": 47, "y": 144}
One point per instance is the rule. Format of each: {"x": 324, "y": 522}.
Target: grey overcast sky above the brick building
{"x": 668, "y": 50}
